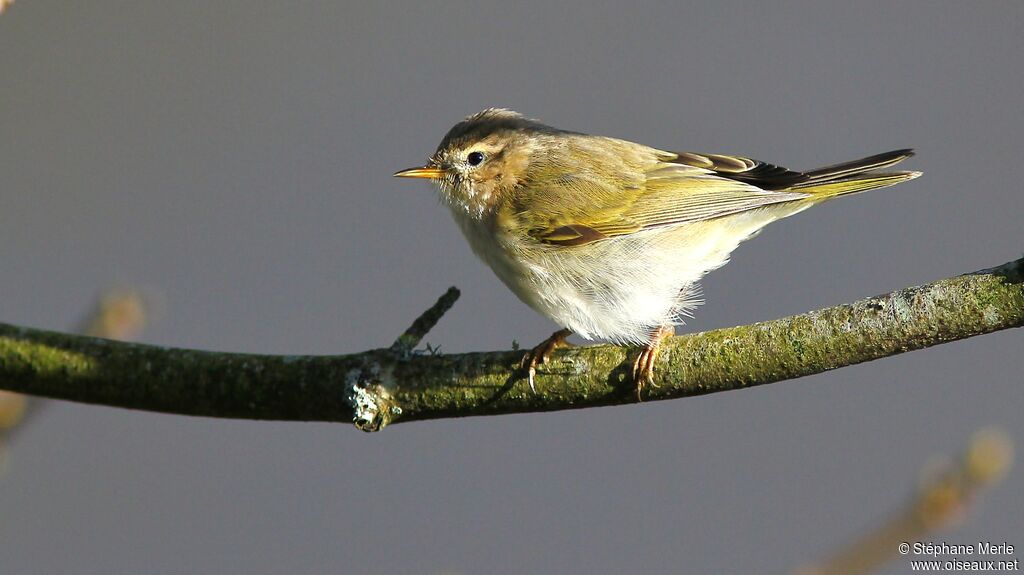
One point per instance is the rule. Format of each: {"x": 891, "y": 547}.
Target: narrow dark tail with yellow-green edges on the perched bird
{"x": 851, "y": 178}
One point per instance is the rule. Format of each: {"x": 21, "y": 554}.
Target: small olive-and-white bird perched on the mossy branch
{"x": 609, "y": 238}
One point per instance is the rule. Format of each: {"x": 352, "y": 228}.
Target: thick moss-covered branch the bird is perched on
{"x": 380, "y": 387}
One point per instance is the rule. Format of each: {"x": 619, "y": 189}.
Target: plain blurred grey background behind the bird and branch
{"x": 237, "y": 157}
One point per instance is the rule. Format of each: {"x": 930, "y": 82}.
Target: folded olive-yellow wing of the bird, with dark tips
{"x": 579, "y": 209}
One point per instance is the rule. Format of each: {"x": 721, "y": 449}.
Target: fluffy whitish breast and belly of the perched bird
{"x": 621, "y": 289}
